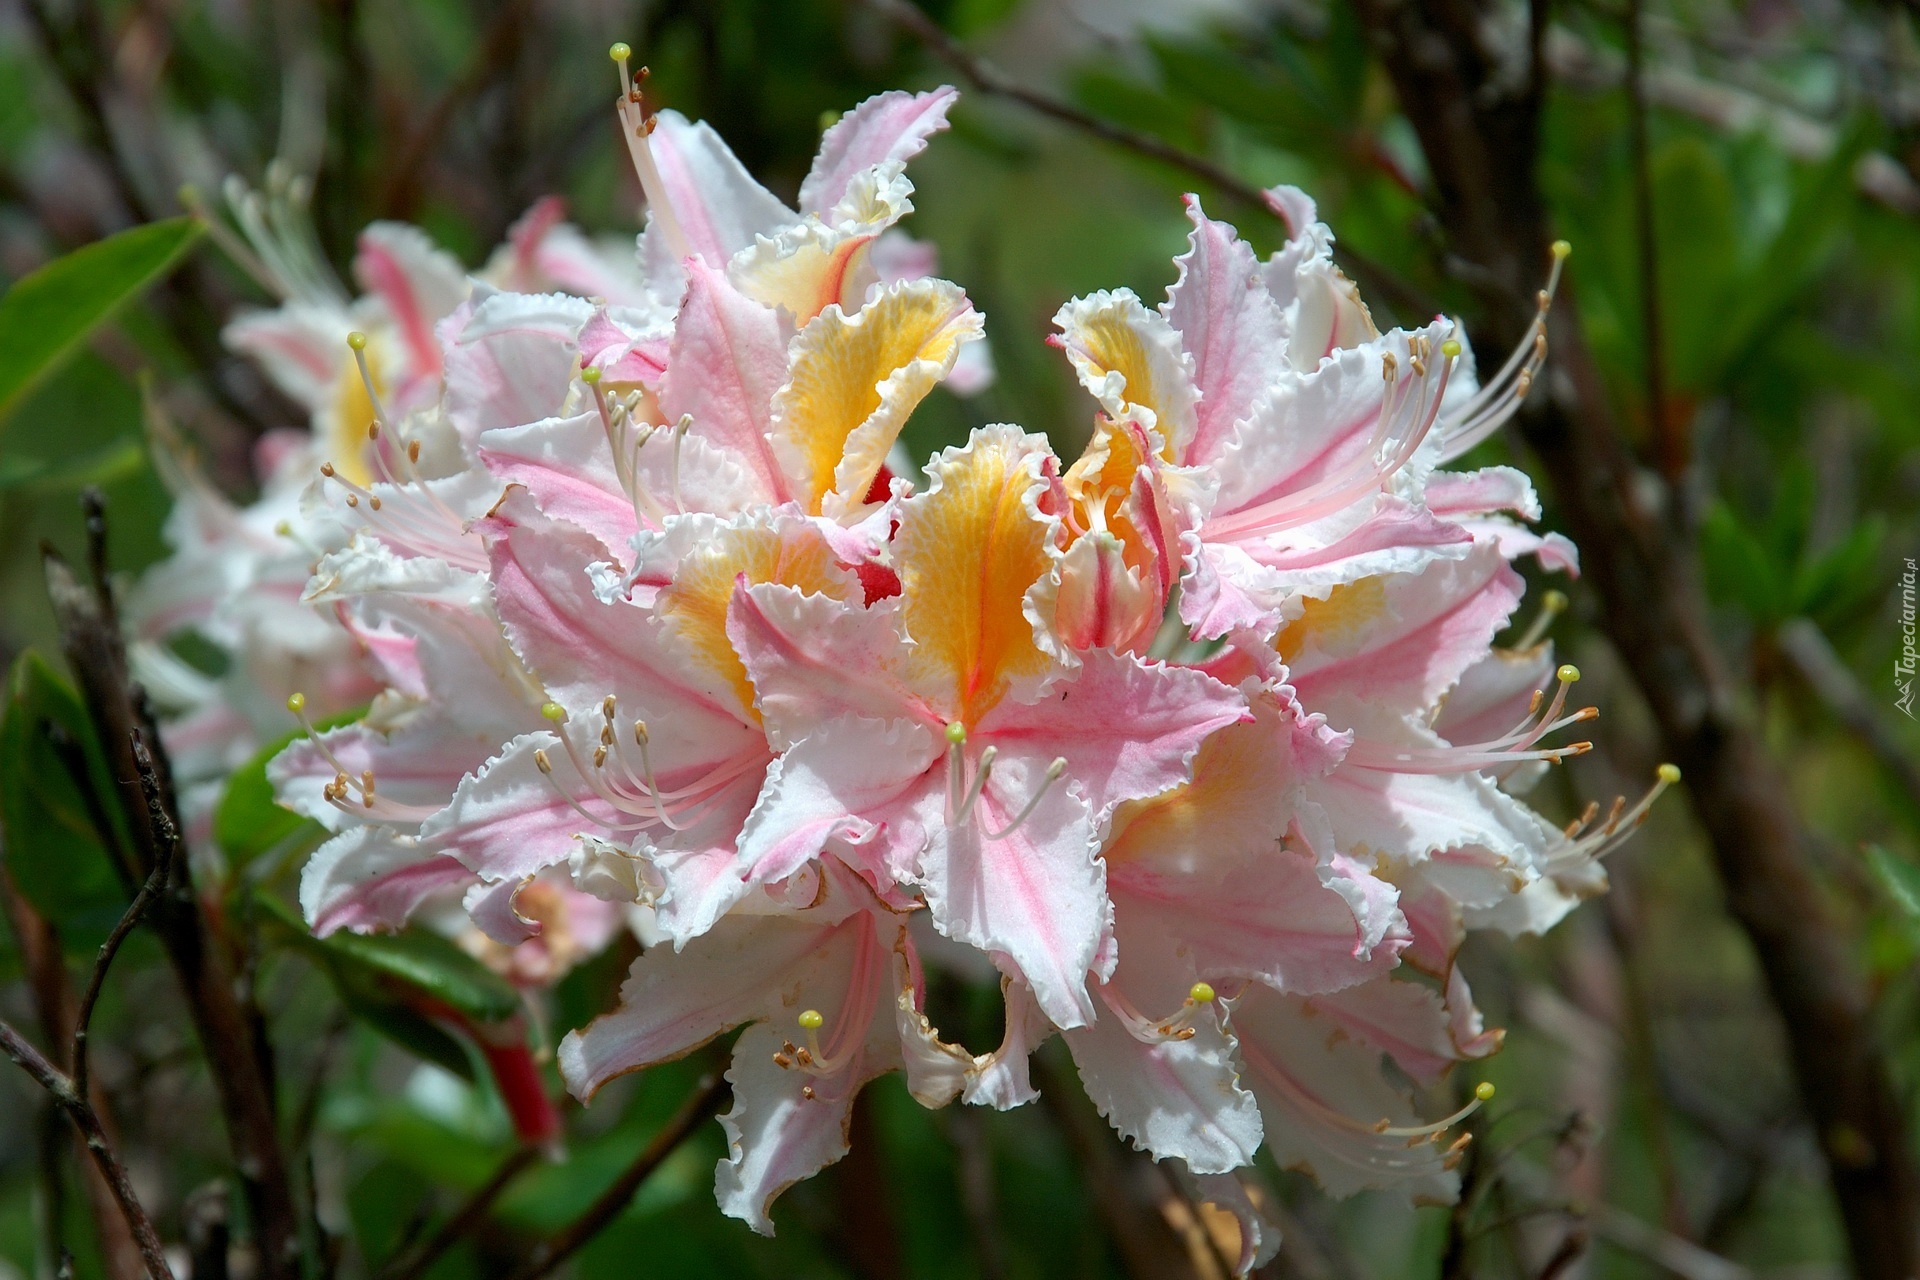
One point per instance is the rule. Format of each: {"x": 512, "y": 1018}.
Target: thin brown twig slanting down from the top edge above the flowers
{"x": 996, "y": 83}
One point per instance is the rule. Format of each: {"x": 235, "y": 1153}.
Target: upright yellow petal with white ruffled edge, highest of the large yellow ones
{"x": 857, "y": 379}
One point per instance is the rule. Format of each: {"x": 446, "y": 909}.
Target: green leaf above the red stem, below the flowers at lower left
{"x": 395, "y": 984}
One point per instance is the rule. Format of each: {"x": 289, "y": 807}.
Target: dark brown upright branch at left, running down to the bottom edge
{"x": 145, "y": 795}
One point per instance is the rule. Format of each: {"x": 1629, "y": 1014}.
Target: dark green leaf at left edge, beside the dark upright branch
{"x": 55, "y": 853}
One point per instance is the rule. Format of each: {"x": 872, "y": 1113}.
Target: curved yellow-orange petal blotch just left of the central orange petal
{"x": 790, "y": 554}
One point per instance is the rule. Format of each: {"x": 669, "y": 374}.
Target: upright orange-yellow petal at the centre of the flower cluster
{"x": 969, "y": 552}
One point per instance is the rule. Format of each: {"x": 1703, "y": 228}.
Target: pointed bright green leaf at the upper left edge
{"x": 55, "y": 310}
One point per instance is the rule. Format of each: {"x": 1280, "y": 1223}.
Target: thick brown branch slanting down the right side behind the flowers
{"x": 1481, "y": 139}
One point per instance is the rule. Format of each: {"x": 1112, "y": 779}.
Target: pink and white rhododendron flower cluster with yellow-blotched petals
{"x": 1201, "y": 740}
